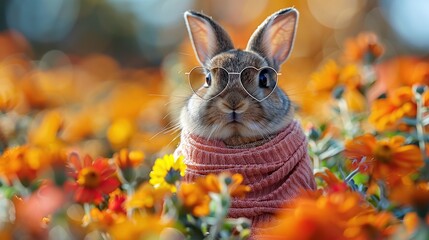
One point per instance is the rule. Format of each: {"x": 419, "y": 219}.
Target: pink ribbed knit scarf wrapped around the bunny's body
{"x": 276, "y": 171}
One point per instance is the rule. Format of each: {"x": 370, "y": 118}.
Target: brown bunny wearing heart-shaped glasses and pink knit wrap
{"x": 239, "y": 121}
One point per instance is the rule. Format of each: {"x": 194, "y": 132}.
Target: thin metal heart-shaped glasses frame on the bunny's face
{"x": 241, "y": 82}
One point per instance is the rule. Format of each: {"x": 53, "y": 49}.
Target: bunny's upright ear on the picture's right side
{"x": 274, "y": 38}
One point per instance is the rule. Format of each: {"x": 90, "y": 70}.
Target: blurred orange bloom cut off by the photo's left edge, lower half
{"x": 23, "y": 162}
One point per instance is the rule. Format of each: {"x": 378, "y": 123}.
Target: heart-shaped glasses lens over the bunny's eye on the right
{"x": 259, "y": 83}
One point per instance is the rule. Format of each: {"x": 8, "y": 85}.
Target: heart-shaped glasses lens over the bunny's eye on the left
{"x": 207, "y": 84}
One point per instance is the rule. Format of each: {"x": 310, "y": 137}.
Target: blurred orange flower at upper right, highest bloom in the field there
{"x": 364, "y": 48}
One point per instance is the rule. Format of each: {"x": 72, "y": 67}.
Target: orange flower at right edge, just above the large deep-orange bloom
{"x": 386, "y": 114}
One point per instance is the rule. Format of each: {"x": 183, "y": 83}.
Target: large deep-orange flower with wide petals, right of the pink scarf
{"x": 387, "y": 159}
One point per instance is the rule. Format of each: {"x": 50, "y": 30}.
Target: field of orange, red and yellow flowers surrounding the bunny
{"x": 86, "y": 149}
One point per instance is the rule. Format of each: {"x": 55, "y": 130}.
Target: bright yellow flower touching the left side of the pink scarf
{"x": 167, "y": 171}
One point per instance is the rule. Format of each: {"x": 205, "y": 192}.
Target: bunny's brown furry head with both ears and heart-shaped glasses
{"x": 235, "y": 91}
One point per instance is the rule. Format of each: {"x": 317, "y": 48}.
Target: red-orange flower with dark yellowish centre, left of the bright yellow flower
{"x": 93, "y": 179}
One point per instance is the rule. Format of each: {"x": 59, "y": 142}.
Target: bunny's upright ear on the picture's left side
{"x": 207, "y": 37}
